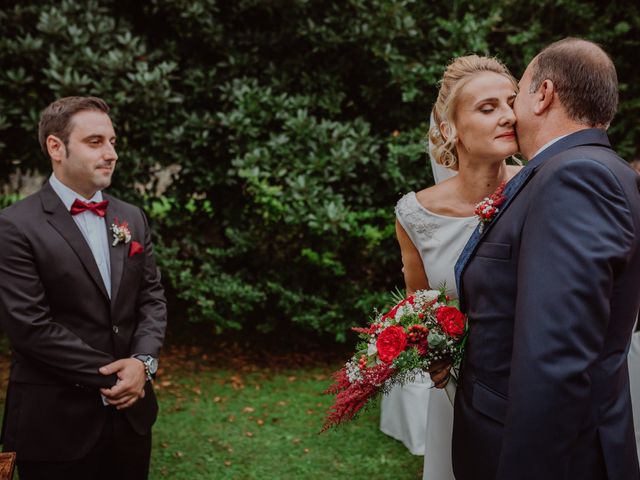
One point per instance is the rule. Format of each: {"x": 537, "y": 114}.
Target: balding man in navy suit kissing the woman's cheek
{"x": 551, "y": 288}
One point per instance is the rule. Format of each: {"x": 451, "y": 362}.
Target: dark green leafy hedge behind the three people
{"x": 297, "y": 125}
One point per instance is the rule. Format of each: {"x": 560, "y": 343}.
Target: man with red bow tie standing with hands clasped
{"x": 84, "y": 310}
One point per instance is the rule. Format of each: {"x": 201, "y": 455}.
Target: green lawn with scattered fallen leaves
{"x": 254, "y": 421}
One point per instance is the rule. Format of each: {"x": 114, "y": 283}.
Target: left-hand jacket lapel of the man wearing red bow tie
{"x": 62, "y": 221}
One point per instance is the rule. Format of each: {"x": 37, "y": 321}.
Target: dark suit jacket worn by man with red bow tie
{"x": 63, "y": 327}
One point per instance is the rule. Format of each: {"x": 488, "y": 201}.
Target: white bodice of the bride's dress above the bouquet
{"x": 438, "y": 238}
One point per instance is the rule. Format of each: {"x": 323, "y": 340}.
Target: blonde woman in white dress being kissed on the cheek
{"x": 472, "y": 134}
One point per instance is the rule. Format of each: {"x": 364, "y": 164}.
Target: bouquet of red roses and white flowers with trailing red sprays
{"x": 395, "y": 348}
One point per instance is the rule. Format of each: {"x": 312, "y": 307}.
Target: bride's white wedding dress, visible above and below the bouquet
{"x": 416, "y": 414}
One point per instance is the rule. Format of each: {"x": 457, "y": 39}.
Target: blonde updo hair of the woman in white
{"x": 459, "y": 72}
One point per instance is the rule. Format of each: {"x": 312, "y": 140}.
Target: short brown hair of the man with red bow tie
{"x": 56, "y": 119}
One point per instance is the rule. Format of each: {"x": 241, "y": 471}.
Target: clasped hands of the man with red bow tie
{"x": 130, "y": 385}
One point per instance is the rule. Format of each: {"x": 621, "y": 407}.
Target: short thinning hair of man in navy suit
{"x": 584, "y": 78}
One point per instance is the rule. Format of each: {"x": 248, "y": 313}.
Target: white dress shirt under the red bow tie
{"x": 92, "y": 227}
